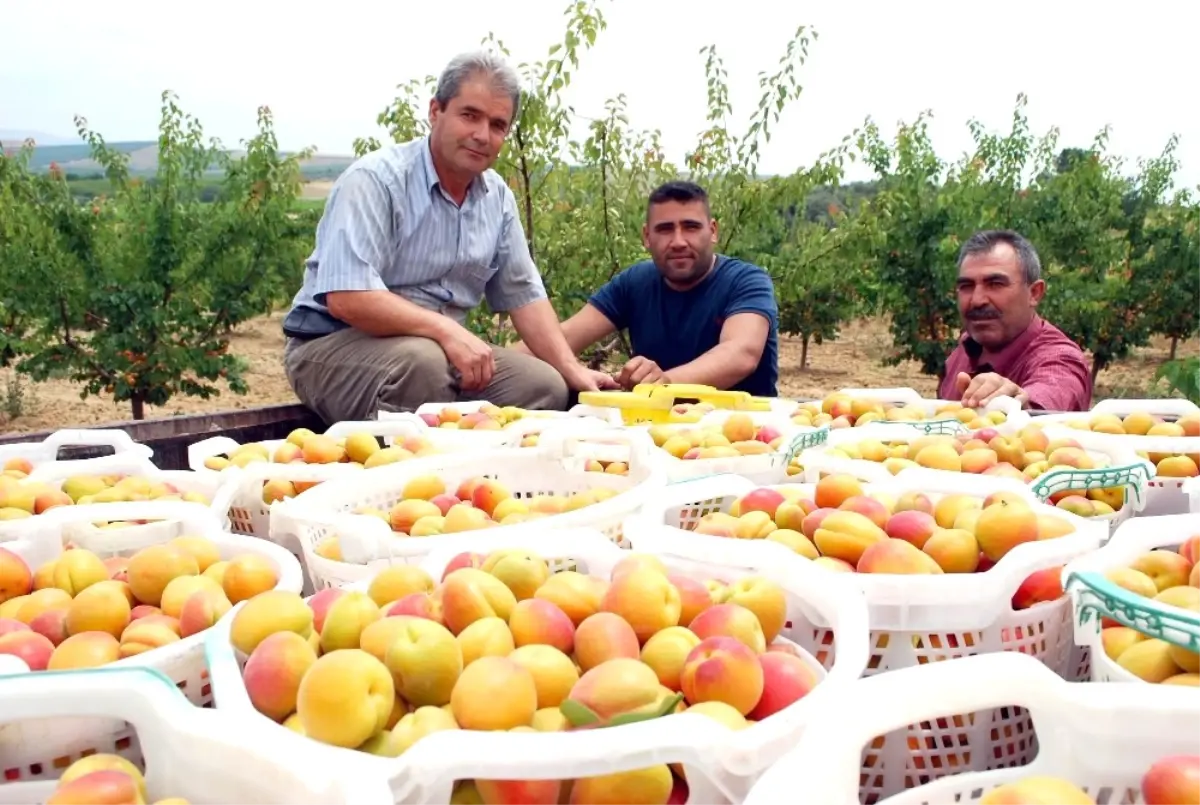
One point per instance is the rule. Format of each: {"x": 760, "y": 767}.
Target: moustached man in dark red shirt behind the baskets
{"x": 1009, "y": 350}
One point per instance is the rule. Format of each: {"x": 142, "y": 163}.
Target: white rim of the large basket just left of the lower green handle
{"x": 932, "y": 604}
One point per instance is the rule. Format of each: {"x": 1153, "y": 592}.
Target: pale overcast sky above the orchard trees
{"x": 328, "y": 69}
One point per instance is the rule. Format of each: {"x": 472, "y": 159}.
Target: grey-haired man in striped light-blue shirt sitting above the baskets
{"x": 415, "y": 237}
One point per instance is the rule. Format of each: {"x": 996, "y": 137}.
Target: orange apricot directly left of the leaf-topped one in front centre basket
{"x": 495, "y": 694}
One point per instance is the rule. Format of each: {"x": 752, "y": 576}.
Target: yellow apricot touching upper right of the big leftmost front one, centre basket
{"x": 425, "y": 662}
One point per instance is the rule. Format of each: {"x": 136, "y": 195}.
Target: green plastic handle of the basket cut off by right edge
{"x": 1100, "y": 598}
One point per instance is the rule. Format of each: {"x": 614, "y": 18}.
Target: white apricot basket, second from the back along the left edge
{"x": 218, "y": 491}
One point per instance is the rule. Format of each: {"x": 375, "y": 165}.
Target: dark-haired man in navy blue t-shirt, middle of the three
{"x": 693, "y": 316}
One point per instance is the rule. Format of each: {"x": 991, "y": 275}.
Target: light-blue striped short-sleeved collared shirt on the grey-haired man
{"x": 389, "y": 226}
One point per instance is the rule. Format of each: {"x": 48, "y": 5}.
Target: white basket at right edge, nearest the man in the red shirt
{"x": 1165, "y": 495}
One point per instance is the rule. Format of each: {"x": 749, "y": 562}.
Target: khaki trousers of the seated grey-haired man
{"x": 351, "y": 376}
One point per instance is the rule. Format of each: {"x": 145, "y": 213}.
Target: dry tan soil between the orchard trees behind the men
{"x": 851, "y": 362}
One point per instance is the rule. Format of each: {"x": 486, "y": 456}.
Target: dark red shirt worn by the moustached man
{"x": 1049, "y": 368}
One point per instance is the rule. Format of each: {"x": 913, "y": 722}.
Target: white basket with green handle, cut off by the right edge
{"x": 1095, "y": 598}
